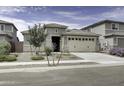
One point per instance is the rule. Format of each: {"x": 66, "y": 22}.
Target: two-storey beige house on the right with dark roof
{"x": 112, "y": 33}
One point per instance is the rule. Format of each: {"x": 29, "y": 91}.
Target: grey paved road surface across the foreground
{"x": 73, "y": 76}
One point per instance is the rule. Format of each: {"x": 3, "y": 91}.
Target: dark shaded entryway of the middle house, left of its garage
{"x": 56, "y": 43}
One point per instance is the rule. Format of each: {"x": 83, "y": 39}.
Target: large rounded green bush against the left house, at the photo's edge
{"x": 5, "y": 48}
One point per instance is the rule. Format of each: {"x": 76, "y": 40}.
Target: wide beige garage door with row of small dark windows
{"x": 81, "y": 44}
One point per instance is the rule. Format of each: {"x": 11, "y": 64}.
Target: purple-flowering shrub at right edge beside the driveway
{"x": 117, "y": 51}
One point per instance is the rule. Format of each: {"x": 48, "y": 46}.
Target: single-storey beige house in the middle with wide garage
{"x": 66, "y": 40}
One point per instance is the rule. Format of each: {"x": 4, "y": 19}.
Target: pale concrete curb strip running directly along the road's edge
{"x": 49, "y": 68}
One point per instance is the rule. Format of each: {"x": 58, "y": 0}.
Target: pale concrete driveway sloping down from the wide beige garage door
{"x": 100, "y": 58}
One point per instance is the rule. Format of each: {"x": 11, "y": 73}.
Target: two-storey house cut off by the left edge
{"x": 8, "y": 32}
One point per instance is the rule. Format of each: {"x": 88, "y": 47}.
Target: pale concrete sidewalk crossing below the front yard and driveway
{"x": 61, "y": 62}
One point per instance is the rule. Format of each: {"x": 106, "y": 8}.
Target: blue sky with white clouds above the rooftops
{"x": 72, "y": 16}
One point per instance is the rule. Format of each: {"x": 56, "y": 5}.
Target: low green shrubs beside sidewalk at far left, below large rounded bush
{"x": 8, "y": 58}
